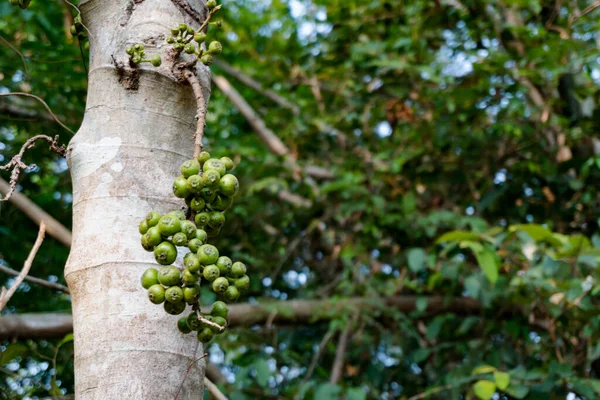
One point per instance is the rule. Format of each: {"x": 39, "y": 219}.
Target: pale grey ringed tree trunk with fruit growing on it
{"x": 138, "y": 128}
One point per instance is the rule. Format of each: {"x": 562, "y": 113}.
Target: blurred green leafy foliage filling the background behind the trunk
{"x": 463, "y": 136}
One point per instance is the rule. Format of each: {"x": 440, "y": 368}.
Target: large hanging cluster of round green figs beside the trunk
{"x": 208, "y": 188}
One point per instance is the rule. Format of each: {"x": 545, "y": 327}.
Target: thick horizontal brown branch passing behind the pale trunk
{"x": 56, "y": 325}
